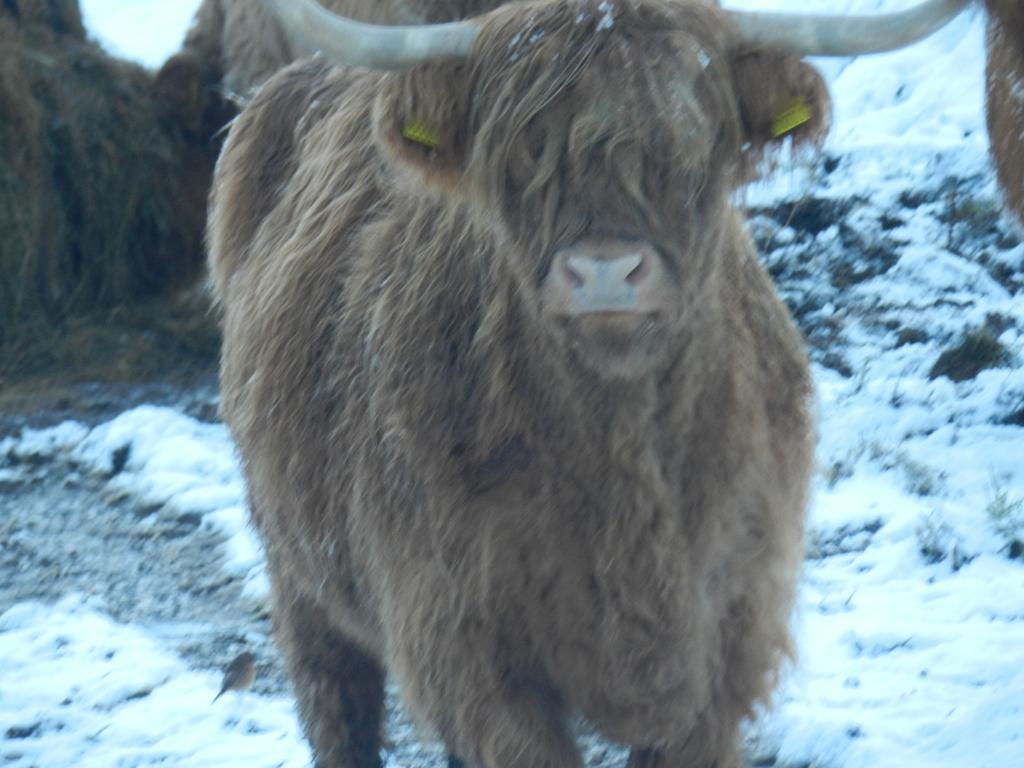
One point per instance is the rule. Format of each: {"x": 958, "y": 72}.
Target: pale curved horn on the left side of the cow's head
{"x": 312, "y": 28}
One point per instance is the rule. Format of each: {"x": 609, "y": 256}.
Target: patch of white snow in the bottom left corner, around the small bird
{"x": 79, "y": 690}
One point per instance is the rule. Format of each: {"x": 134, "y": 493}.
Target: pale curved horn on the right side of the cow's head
{"x": 814, "y": 35}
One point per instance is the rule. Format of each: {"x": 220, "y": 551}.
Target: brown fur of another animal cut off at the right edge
{"x": 1005, "y": 97}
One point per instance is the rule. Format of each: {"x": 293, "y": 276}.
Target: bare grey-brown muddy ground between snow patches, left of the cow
{"x": 63, "y": 531}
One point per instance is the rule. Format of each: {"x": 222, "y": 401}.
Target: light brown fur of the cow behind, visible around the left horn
{"x": 240, "y": 45}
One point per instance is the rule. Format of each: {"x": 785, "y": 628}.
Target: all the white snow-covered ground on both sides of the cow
{"x": 912, "y": 617}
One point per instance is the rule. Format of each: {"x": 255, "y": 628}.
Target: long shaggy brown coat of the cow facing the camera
{"x": 446, "y": 489}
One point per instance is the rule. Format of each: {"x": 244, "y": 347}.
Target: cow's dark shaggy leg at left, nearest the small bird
{"x": 338, "y": 688}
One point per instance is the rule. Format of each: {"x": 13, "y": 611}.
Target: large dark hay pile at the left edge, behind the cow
{"x": 103, "y": 195}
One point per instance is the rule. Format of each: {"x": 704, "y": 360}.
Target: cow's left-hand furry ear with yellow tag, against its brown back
{"x": 420, "y": 118}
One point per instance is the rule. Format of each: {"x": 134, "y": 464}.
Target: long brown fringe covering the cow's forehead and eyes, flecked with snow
{"x": 599, "y": 97}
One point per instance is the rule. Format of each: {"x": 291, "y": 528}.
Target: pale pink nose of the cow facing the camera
{"x": 604, "y": 275}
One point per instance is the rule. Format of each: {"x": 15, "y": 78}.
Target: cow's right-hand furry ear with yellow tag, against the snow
{"x": 781, "y": 98}
